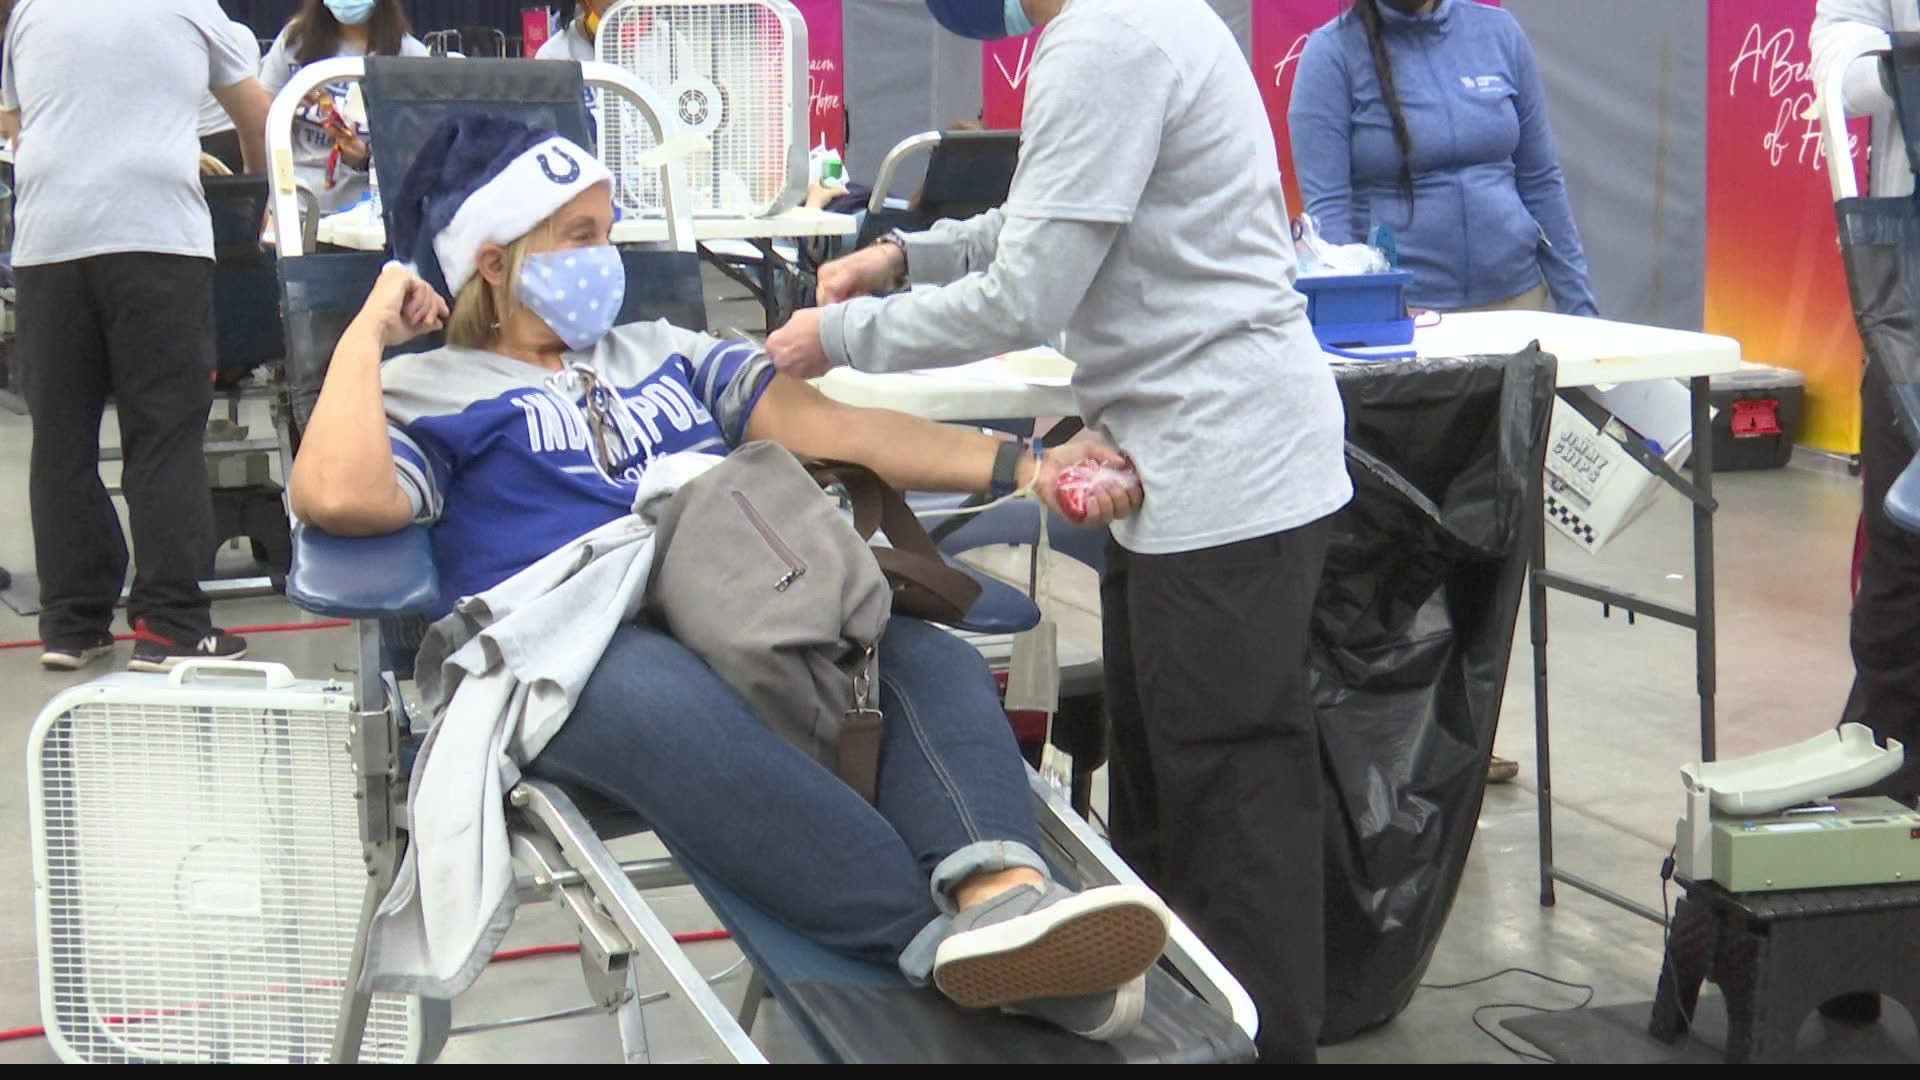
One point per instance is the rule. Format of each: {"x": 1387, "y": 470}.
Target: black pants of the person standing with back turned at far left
{"x": 135, "y": 328}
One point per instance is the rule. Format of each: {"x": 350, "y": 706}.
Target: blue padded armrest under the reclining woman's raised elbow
{"x": 375, "y": 577}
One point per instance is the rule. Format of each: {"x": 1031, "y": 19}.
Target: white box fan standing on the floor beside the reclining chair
{"x": 204, "y": 883}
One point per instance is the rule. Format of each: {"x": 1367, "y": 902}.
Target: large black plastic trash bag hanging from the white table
{"x": 1412, "y": 637}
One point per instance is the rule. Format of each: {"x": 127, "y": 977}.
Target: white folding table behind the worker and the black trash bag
{"x": 1593, "y": 353}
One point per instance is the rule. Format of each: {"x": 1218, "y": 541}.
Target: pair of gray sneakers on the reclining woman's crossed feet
{"x": 1063, "y": 956}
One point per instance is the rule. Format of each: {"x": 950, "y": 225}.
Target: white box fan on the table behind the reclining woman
{"x": 721, "y": 70}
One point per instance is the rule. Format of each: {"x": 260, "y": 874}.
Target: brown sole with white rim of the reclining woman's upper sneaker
{"x": 1093, "y": 943}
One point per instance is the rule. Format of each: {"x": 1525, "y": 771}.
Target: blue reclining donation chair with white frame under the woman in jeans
{"x": 848, "y": 1012}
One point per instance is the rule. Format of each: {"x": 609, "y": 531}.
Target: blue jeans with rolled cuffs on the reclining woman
{"x": 658, "y": 731}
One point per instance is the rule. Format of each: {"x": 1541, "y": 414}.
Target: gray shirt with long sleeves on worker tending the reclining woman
{"x": 1147, "y": 220}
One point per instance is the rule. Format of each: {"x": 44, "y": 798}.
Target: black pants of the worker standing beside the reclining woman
{"x": 1216, "y": 760}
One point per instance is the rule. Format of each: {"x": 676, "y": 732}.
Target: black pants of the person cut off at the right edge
{"x": 1886, "y": 614}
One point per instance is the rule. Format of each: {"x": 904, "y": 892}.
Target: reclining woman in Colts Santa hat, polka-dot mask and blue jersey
{"x": 944, "y": 875}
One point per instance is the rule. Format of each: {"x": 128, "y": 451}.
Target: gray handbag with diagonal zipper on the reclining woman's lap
{"x": 761, "y": 576}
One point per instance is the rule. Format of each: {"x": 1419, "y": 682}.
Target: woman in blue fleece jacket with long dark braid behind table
{"x": 1428, "y": 118}
